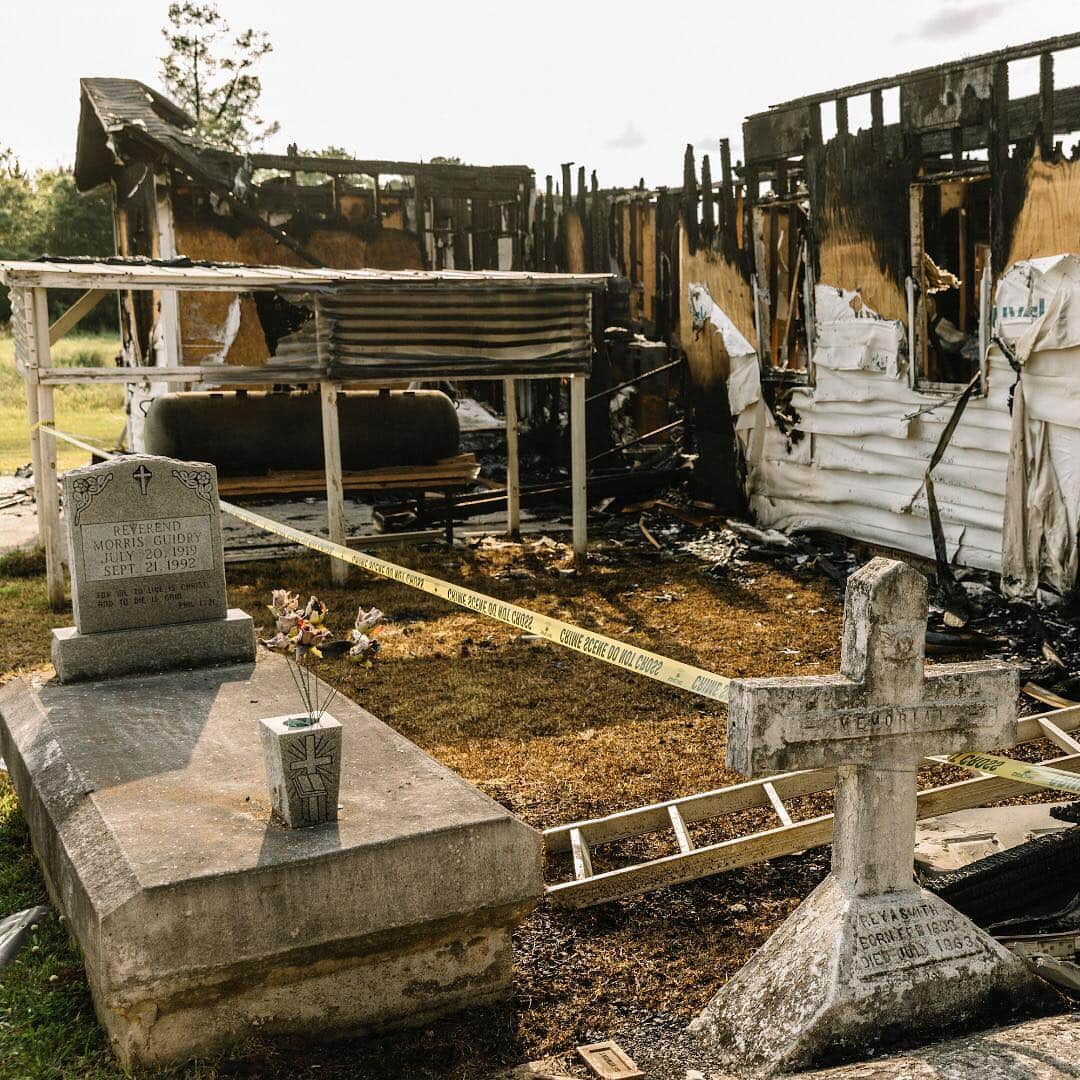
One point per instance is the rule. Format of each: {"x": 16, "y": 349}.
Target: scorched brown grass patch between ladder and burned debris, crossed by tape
{"x": 553, "y": 735}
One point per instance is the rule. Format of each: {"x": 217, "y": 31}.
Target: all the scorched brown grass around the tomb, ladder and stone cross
{"x": 556, "y": 737}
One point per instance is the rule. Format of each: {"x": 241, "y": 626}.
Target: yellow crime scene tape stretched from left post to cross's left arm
{"x": 618, "y": 654}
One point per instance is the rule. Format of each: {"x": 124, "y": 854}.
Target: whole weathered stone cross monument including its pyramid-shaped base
{"x": 870, "y": 956}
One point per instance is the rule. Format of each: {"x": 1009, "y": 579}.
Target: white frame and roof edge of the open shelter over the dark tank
{"x": 30, "y": 283}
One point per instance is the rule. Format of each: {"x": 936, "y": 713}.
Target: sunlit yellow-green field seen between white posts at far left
{"x": 96, "y": 412}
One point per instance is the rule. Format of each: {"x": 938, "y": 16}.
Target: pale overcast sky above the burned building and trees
{"x": 618, "y": 86}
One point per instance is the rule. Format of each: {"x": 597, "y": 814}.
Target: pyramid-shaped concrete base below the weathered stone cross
{"x": 845, "y": 975}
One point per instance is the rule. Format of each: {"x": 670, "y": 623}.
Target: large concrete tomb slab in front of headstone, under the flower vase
{"x": 201, "y": 922}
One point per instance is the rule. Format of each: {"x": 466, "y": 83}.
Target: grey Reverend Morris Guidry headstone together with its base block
{"x": 145, "y": 538}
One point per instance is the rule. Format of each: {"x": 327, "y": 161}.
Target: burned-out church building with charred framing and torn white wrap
{"x": 866, "y": 326}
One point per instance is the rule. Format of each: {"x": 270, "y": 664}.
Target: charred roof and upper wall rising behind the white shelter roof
{"x": 123, "y": 123}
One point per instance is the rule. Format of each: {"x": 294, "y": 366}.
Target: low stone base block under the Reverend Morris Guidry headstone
{"x": 79, "y": 658}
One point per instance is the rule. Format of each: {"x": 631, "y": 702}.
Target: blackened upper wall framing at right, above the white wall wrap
{"x": 858, "y": 182}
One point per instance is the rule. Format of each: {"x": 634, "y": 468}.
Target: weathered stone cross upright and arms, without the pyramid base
{"x": 874, "y": 722}
